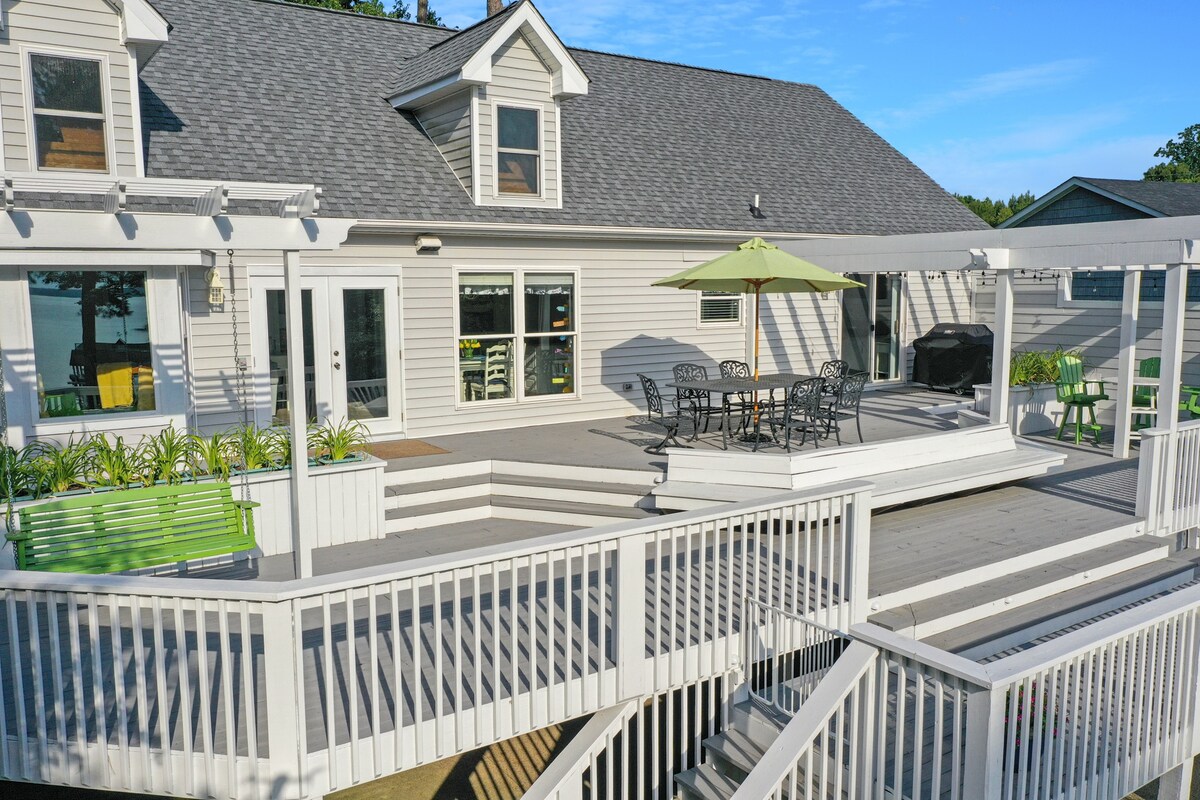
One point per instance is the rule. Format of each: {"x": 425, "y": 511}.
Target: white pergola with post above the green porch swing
{"x": 49, "y": 230}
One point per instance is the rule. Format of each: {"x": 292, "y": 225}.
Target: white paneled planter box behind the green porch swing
{"x": 349, "y": 508}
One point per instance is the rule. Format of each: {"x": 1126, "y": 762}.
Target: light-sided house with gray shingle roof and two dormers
{"x": 479, "y": 166}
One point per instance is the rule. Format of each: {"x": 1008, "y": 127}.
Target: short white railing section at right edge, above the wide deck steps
{"x": 1169, "y": 479}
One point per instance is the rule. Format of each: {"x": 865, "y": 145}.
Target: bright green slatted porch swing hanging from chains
{"x": 131, "y": 530}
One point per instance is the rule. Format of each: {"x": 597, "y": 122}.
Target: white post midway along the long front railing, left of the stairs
{"x": 629, "y": 634}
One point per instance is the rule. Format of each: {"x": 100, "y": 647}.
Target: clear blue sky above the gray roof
{"x": 991, "y": 99}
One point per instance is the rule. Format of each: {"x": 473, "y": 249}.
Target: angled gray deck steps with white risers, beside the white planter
{"x": 572, "y": 496}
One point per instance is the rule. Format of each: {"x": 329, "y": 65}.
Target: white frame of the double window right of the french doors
{"x": 519, "y": 335}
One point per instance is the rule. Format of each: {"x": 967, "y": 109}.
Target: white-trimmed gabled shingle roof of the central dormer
{"x": 466, "y": 59}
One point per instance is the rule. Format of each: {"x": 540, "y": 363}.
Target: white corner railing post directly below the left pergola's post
{"x": 284, "y": 700}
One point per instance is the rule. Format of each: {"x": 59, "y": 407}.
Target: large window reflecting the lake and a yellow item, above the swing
{"x": 92, "y": 342}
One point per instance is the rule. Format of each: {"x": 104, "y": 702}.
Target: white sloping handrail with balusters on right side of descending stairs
{"x": 851, "y": 678}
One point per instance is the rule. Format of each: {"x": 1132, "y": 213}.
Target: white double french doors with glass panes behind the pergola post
{"x": 352, "y": 351}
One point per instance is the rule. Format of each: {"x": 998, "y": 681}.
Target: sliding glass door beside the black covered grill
{"x": 872, "y": 324}
